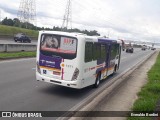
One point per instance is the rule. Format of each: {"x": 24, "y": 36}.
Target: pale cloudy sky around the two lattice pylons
{"x": 137, "y": 20}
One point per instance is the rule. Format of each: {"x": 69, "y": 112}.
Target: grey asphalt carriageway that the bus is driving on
{"x": 19, "y": 91}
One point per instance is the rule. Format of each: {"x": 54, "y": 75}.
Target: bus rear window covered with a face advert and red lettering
{"x": 58, "y": 46}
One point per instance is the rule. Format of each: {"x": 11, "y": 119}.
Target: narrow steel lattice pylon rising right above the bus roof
{"x": 67, "y": 19}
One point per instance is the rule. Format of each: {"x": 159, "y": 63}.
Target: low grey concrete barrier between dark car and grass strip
{"x": 17, "y": 47}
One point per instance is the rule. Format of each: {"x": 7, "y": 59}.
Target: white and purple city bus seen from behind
{"x": 75, "y": 60}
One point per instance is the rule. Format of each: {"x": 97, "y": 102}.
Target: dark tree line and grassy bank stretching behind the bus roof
{"x": 12, "y": 26}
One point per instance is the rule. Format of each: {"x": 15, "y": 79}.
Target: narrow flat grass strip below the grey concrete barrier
{"x": 16, "y": 55}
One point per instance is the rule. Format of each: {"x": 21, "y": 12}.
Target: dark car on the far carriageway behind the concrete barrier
{"x": 21, "y": 37}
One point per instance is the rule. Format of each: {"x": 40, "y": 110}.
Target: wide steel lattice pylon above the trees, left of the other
{"x": 27, "y": 12}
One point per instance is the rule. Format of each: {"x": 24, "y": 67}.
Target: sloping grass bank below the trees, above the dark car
{"x": 11, "y": 31}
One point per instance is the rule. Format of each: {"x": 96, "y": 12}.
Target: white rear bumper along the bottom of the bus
{"x": 72, "y": 84}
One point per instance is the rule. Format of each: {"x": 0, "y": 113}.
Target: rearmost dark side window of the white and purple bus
{"x": 88, "y": 51}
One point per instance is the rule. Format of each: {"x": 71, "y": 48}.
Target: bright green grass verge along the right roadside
{"x": 150, "y": 93}
